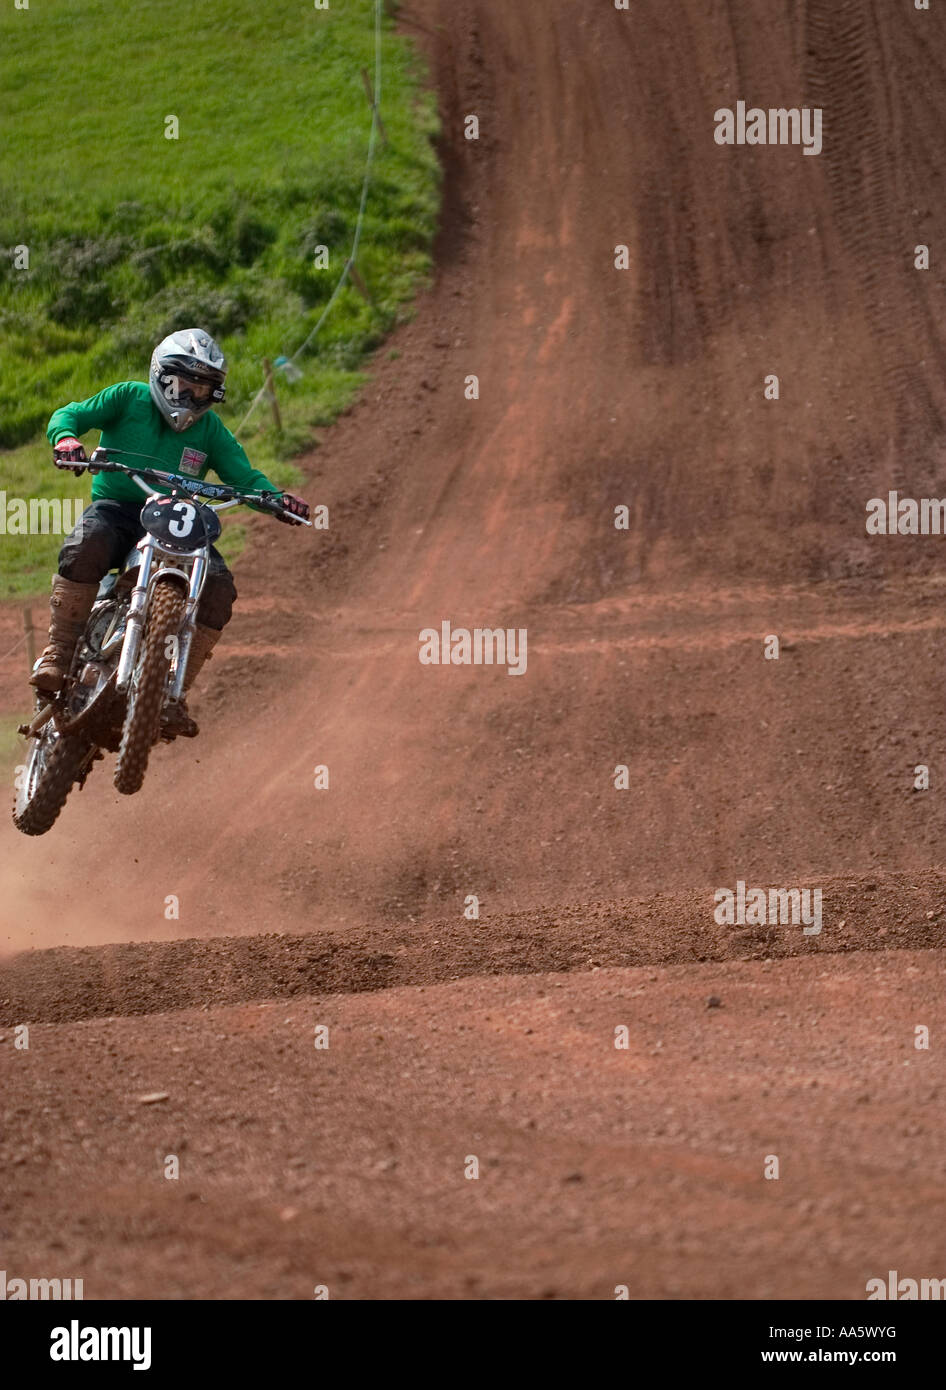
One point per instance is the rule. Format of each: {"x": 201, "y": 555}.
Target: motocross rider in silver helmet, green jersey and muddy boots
{"x": 169, "y": 418}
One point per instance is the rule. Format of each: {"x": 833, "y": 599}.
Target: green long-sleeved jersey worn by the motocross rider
{"x": 128, "y": 419}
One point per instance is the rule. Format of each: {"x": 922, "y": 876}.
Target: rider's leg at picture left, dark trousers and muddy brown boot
{"x": 101, "y": 540}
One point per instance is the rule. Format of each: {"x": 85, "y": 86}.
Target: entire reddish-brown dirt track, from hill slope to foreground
{"x": 598, "y": 389}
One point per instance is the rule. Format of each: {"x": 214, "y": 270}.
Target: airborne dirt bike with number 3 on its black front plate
{"x": 131, "y": 662}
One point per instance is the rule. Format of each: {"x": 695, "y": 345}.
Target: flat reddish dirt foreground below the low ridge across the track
{"x": 345, "y": 1167}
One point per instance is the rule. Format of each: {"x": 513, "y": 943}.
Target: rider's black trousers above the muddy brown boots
{"x": 106, "y": 533}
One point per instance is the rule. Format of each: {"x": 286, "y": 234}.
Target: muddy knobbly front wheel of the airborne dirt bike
{"x": 149, "y": 689}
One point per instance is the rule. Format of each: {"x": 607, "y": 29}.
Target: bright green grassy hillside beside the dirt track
{"x": 133, "y": 236}
